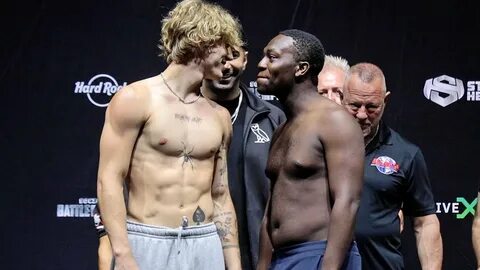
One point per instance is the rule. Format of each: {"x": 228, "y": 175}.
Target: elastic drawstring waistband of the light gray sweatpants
{"x": 160, "y": 231}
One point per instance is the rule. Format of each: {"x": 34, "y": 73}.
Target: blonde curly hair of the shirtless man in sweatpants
{"x": 193, "y": 27}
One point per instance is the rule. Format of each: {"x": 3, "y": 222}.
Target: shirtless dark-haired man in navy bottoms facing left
{"x": 315, "y": 164}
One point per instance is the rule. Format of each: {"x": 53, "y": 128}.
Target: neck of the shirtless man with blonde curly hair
{"x": 184, "y": 80}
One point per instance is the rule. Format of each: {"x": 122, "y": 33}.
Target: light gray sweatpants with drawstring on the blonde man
{"x": 183, "y": 248}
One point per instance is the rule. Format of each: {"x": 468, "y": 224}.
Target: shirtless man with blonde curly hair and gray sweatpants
{"x": 168, "y": 145}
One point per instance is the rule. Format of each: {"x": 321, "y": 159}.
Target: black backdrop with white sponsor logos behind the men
{"x": 50, "y": 129}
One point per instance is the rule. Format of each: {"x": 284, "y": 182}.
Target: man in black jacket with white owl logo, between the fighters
{"x": 254, "y": 121}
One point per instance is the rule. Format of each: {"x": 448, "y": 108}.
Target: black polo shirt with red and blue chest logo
{"x": 395, "y": 177}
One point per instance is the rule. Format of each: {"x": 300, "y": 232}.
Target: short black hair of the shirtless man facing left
{"x": 309, "y": 49}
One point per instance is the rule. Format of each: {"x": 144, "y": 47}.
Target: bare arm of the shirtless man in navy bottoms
{"x": 344, "y": 151}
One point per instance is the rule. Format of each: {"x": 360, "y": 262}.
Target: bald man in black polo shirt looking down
{"x": 395, "y": 176}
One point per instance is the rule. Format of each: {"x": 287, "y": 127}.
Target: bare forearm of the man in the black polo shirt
{"x": 429, "y": 241}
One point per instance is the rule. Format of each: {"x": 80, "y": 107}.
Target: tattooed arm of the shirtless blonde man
{"x": 223, "y": 210}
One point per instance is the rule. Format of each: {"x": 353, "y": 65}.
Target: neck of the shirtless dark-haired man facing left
{"x": 296, "y": 100}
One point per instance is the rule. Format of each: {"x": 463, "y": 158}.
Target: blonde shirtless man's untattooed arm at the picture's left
{"x": 123, "y": 120}
